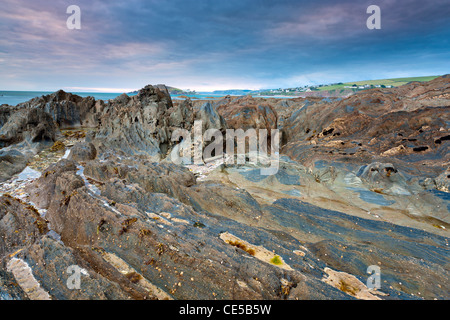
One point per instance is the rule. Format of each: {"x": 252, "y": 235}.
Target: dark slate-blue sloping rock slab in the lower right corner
{"x": 340, "y": 238}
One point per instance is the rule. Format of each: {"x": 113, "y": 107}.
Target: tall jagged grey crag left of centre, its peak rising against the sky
{"x": 143, "y": 124}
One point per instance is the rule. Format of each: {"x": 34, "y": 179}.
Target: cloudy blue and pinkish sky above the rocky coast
{"x": 207, "y": 45}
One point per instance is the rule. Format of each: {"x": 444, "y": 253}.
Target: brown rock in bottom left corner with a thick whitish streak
{"x": 35, "y": 266}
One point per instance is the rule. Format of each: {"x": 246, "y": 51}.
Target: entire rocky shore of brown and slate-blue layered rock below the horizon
{"x": 362, "y": 181}
